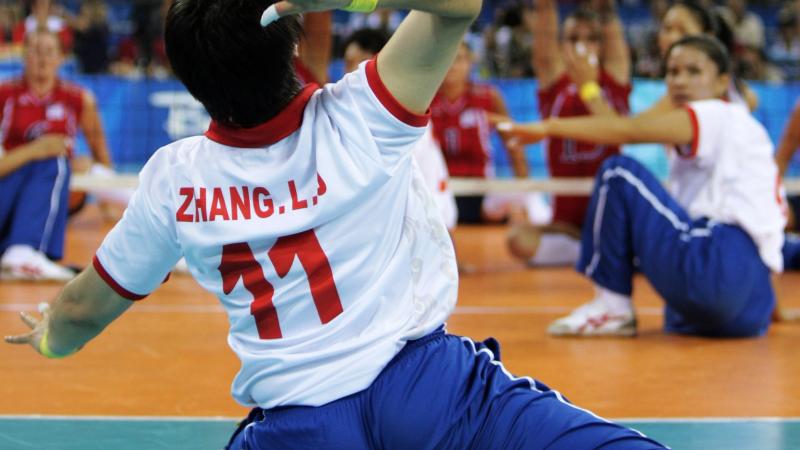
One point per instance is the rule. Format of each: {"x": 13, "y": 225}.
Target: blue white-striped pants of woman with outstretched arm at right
{"x": 710, "y": 275}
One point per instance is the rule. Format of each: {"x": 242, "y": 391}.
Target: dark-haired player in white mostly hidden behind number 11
{"x": 363, "y": 45}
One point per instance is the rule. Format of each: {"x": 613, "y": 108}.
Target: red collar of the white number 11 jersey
{"x": 269, "y": 132}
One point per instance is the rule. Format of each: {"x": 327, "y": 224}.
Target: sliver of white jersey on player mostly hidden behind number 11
{"x": 429, "y": 156}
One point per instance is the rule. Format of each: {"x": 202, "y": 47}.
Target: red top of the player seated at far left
{"x": 25, "y": 116}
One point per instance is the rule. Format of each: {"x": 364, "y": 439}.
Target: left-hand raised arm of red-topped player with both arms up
{"x": 545, "y": 58}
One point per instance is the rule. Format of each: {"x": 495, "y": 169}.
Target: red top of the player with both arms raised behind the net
{"x": 568, "y": 158}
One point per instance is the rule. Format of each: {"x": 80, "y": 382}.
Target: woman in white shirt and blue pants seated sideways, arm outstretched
{"x": 709, "y": 246}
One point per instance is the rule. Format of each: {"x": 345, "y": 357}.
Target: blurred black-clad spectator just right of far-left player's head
{"x": 92, "y": 37}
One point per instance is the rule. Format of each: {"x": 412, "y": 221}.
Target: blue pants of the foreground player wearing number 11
{"x": 440, "y": 392}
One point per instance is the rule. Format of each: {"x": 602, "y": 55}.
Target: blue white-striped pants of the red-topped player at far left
{"x": 33, "y": 206}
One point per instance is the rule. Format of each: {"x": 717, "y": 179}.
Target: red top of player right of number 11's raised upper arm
{"x": 463, "y": 131}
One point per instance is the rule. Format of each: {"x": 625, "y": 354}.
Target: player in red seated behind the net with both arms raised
{"x": 583, "y": 70}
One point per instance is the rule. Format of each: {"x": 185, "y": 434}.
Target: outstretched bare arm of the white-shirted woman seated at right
{"x": 672, "y": 127}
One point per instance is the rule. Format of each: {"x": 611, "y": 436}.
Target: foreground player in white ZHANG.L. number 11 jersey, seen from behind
{"x": 302, "y": 211}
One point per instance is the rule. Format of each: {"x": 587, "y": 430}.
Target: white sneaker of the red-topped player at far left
{"x": 26, "y": 264}
